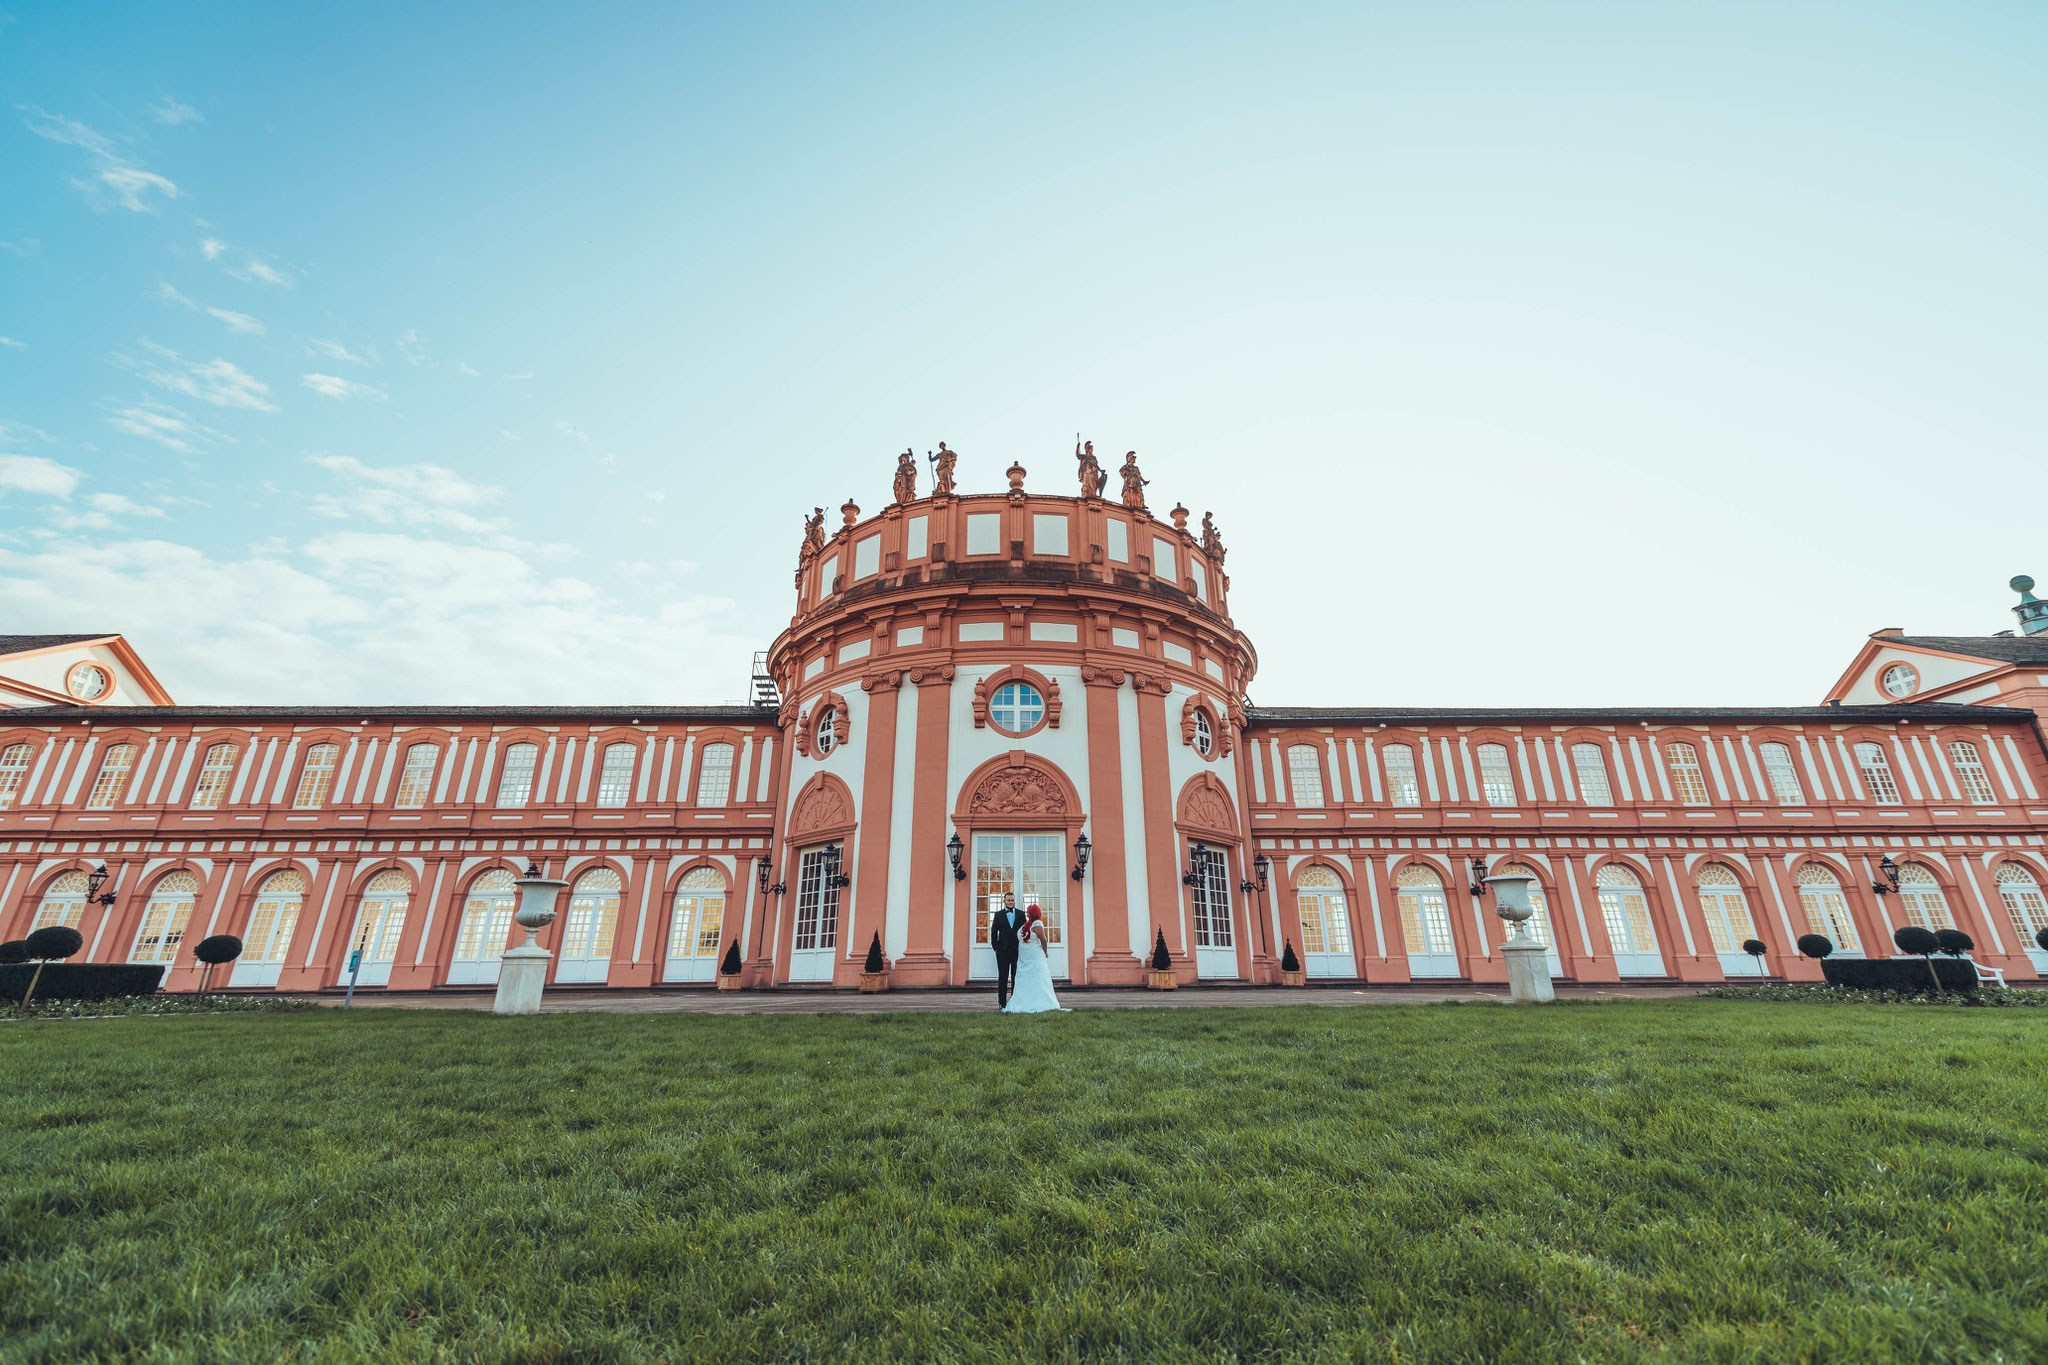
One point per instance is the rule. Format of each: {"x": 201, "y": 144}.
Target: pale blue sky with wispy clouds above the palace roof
{"x": 1527, "y": 353}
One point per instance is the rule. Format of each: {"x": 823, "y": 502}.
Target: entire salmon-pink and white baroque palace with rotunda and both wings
{"x": 1035, "y": 693}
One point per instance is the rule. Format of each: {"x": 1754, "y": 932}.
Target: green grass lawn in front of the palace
{"x": 1609, "y": 1182}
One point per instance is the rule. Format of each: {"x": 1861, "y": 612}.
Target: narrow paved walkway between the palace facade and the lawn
{"x": 826, "y": 1002}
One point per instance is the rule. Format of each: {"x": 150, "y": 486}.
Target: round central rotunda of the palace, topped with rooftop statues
{"x": 1013, "y": 693}
